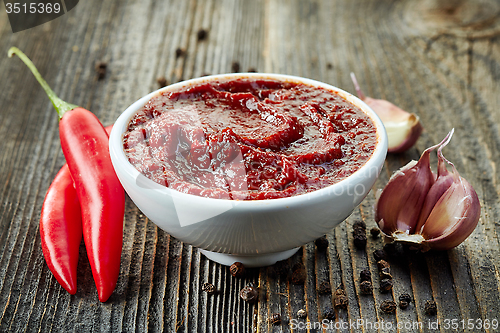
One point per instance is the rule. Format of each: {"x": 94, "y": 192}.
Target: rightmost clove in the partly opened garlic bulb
{"x": 454, "y": 217}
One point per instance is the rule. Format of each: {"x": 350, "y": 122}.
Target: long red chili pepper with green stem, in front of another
{"x": 102, "y": 200}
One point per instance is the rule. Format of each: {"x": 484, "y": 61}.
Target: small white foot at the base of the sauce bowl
{"x": 259, "y": 260}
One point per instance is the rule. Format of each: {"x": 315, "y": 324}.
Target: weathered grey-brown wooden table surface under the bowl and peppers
{"x": 439, "y": 59}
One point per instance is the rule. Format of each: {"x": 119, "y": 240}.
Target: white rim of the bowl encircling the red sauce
{"x": 379, "y": 153}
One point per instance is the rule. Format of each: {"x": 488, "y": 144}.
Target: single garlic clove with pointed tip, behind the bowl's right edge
{"x": 403, "y": 128}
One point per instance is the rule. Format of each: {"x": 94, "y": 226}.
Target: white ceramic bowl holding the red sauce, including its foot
{"x": 256, "y": 233}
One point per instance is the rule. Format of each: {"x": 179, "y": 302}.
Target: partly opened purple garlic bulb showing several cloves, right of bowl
{"x": 432, "y": 211}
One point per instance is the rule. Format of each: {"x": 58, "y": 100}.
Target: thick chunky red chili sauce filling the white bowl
{"x": 249, "y": 139}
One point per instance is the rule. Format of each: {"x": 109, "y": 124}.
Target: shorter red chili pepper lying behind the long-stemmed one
{"x": 61, "y": 228}
